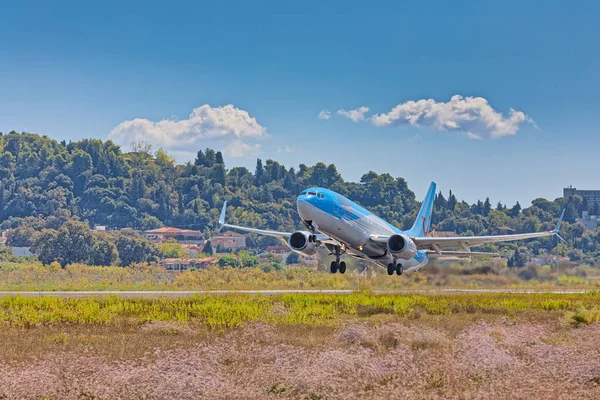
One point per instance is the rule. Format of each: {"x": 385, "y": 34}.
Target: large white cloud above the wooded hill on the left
{"x": 226, "y": 125}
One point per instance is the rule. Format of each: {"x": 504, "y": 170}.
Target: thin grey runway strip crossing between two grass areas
{"x": 189, "y": 293}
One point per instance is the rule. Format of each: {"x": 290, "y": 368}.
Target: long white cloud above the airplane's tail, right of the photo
{"x": 472, "y": 115}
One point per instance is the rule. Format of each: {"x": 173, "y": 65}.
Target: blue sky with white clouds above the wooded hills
{"x": 80, "y": 69}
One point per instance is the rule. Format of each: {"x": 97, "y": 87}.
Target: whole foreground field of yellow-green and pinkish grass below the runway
{"x": 302, "y": 346}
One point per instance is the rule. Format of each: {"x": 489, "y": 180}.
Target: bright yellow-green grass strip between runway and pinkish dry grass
{"x": 234, "y": 310}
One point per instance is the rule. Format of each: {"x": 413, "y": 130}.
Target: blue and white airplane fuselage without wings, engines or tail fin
{"x": 347, "y": 222}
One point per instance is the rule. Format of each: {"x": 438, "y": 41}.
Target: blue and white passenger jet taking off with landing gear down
{"x": 345, "y": 228}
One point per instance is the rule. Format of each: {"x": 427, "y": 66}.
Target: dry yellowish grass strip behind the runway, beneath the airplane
{"x": 32, "y": 276}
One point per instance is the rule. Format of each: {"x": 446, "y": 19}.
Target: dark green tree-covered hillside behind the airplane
{"x": 45, "y": 183}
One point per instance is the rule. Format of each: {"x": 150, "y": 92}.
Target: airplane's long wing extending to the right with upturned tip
{"x": 466, "y": 242}
